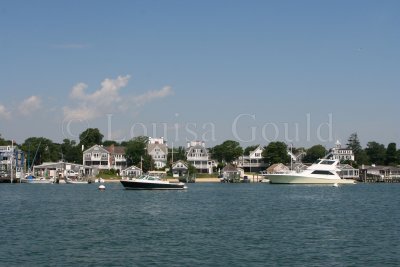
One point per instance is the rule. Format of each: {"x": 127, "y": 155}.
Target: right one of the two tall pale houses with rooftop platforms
{"x": 197, "y": 155}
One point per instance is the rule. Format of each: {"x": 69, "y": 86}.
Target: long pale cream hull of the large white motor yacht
{"x": 294, "y": 179}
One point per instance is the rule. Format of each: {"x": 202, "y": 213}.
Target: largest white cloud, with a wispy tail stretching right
{"x": 107, "y": 99}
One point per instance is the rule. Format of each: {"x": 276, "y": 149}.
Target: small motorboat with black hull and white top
{"x": 149, "y": 182}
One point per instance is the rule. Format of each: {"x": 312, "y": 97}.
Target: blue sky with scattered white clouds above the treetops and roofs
{"x": 301, "y": 72}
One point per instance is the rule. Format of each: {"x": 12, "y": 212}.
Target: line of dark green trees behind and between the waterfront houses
{"x": 40, "y": 149}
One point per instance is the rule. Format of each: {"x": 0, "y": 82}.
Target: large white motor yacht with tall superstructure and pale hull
{"x": 323, "y": 171}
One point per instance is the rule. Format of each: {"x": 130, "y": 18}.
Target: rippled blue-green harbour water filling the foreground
{"x": 207, "y": 225}
